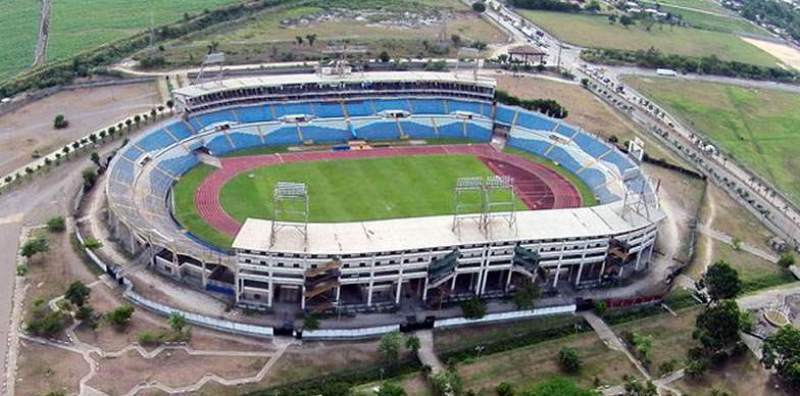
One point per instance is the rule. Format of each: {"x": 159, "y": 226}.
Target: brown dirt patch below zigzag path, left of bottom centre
{"x": 173, "y": 367}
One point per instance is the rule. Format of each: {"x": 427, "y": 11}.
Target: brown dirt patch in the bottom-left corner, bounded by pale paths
{"x": 43, "y": 369}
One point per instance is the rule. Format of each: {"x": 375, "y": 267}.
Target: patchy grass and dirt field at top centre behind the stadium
{"x": 265, "y": 36}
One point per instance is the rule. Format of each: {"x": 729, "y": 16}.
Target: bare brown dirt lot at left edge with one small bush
{"x": 31, "y": 127}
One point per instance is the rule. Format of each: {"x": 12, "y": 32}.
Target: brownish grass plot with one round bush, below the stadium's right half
{"x": 524, "y": 367}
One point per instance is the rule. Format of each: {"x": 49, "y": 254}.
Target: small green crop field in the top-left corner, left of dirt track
{"x": 19, "y": 26}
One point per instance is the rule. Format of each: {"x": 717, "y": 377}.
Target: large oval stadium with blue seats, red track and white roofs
{"x": 367, "y": 191}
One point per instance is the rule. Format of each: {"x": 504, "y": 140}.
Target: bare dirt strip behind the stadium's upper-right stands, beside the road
{"x": 585, "y": 110}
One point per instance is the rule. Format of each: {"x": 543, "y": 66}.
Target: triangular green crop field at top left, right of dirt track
{"x": 77, "y": 25}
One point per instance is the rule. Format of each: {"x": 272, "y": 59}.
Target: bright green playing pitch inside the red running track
{"x": 357, "y": 189}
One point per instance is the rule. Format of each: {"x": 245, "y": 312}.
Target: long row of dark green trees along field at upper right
{"x": 711, "y": 64}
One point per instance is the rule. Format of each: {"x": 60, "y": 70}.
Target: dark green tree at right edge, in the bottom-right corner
{"x": 781, "y": 350}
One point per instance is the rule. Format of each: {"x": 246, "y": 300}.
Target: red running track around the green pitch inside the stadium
{"x": 537, "y": 186}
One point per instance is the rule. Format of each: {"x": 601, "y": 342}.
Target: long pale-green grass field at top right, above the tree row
{"x": 597, "y": 32}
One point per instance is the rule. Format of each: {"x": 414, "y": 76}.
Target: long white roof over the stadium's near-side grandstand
{"x": 436, "y": 231}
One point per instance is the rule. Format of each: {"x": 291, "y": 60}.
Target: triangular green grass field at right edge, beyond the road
{"x": 758, "y": 127}
